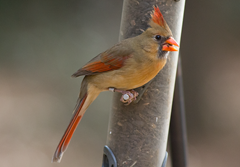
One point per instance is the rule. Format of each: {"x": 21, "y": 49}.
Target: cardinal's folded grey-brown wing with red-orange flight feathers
{"x": 112, "y": 59}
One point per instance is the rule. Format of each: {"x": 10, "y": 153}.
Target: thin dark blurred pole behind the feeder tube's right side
{"x": 178, "y": 132}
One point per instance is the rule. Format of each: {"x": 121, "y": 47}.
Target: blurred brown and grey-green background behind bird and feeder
{"x": 43, "y": 42}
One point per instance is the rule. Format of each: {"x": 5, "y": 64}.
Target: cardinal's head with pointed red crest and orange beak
{"x": 159, "y": 33}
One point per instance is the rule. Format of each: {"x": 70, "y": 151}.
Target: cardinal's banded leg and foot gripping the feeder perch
{"x": 127, "y": 95}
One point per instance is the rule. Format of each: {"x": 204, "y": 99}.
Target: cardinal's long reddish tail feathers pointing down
{"x": 63, "y": 144}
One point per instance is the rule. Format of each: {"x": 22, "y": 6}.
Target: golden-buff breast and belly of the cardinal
{"x": 132, "y": 75}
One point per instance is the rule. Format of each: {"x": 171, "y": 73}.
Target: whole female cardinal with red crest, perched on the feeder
{"x": 127, "y": 65}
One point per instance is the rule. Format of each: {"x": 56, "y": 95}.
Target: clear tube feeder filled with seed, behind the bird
{"x": 137, "y": 134}
